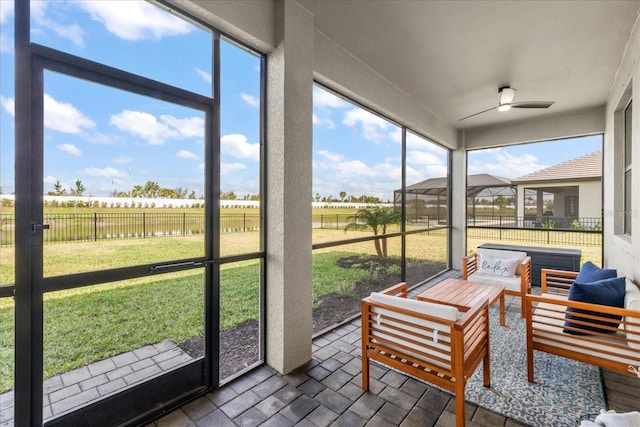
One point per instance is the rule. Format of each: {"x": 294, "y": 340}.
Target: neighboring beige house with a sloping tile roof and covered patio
{"x": 575, "y": 185}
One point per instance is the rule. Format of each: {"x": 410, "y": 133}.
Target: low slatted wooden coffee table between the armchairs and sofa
{"x": 464, "y": 294}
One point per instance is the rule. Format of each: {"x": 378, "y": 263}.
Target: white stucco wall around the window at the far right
{"x": 620, "y": 251}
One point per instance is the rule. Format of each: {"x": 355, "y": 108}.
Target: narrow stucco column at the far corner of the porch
{"x": 458, "y": 207}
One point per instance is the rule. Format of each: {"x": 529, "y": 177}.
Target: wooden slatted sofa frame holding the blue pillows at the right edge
{"x": 545, "y": 317}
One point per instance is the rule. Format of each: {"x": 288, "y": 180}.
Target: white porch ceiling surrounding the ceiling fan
{"x": 451, "y": 56}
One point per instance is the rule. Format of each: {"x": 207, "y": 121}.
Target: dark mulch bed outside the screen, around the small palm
{"x": 239, "y": 347}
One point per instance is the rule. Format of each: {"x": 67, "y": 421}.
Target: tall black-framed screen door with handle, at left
{"x": 117, "y": 300}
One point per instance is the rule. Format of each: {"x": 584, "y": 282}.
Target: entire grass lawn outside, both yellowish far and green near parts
{"x": 88, "y": 324}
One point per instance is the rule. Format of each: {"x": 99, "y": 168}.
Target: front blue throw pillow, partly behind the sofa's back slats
{"x": 604, "y": 292}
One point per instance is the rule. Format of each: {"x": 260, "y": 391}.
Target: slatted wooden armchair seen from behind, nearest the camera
{"x": 466, "y": 343}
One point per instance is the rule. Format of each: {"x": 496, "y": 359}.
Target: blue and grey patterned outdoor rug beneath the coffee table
{"x": 564, "y": 389}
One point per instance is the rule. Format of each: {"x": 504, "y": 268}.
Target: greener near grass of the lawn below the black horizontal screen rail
{"x": 89, "y": 324}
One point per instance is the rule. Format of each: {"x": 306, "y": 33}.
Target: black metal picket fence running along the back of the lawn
{"x": 140, "y": 225}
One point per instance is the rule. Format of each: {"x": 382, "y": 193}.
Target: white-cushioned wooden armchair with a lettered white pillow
{"x": 511, "y": 269}
